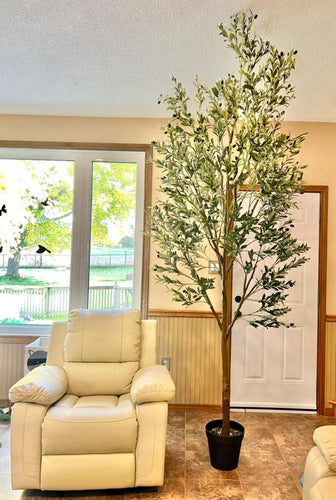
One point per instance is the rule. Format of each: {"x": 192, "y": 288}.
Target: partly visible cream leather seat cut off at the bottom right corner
{"x": 319, "y": 481}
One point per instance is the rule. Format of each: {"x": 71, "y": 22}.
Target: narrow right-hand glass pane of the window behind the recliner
{"x": 113, "y": 225}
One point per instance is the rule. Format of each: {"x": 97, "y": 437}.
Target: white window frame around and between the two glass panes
{"x": 81, "y": 226}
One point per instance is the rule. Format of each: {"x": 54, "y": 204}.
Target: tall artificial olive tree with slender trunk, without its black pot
{"x": 229, "y": 180}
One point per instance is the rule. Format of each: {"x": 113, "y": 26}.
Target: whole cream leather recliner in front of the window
{"x": 95, "y": 416}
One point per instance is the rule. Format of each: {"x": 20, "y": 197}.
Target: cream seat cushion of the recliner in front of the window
{"x": 91, "y": 424}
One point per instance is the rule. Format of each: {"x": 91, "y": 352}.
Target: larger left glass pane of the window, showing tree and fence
{"x": 35, "y": 240}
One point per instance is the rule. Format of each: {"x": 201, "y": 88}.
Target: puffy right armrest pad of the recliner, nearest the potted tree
{"x": 152, "y": 384}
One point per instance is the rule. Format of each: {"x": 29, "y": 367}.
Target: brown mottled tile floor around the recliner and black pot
{"x": 271, "y": 461}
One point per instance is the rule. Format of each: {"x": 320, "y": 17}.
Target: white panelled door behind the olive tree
{"x": 276, "y": 367}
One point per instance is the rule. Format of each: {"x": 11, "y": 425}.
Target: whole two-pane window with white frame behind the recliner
{"x": 71, "y": 226}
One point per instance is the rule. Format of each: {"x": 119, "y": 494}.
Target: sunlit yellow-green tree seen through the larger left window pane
{"x": 37, "y": 198}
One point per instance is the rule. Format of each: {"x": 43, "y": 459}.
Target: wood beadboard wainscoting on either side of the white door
{"x": 185, "y": 337}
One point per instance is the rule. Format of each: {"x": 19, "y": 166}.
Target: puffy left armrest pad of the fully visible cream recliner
{"x": 43, "y": 385}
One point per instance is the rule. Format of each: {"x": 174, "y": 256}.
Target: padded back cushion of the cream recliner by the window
{"x": 101, "y": 351}
